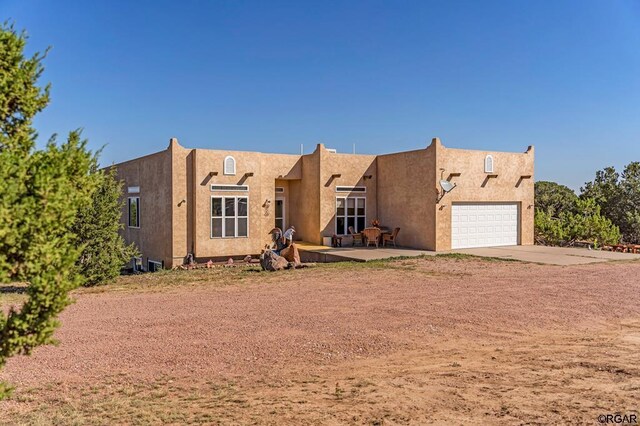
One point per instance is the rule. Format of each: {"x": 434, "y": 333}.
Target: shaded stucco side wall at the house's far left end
{"x": 153, "y": 175}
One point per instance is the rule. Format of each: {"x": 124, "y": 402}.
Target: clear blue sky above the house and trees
{"x": 268, "y": 75}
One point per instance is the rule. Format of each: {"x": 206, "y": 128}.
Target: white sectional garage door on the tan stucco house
{"x": 484, "y": 225}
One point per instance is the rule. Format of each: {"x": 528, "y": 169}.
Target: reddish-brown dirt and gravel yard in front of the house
{"x": 448, "y": 339}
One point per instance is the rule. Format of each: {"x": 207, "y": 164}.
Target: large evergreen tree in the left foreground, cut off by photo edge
{"x": 41, "y": 192}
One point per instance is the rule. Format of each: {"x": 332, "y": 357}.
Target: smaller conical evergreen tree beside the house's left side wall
{"x": 96, "y": 229}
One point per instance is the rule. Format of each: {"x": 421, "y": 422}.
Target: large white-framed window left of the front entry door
{"x": 229, "y": 217}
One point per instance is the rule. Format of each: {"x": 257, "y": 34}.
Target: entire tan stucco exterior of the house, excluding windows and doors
{"x": 400, "y": 189}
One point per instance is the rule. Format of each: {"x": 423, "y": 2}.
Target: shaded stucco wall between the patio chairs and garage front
{"x": 406, "y": 196}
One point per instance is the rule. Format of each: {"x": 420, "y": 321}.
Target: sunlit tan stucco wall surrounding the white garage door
{"x": 473, "y": 185}
